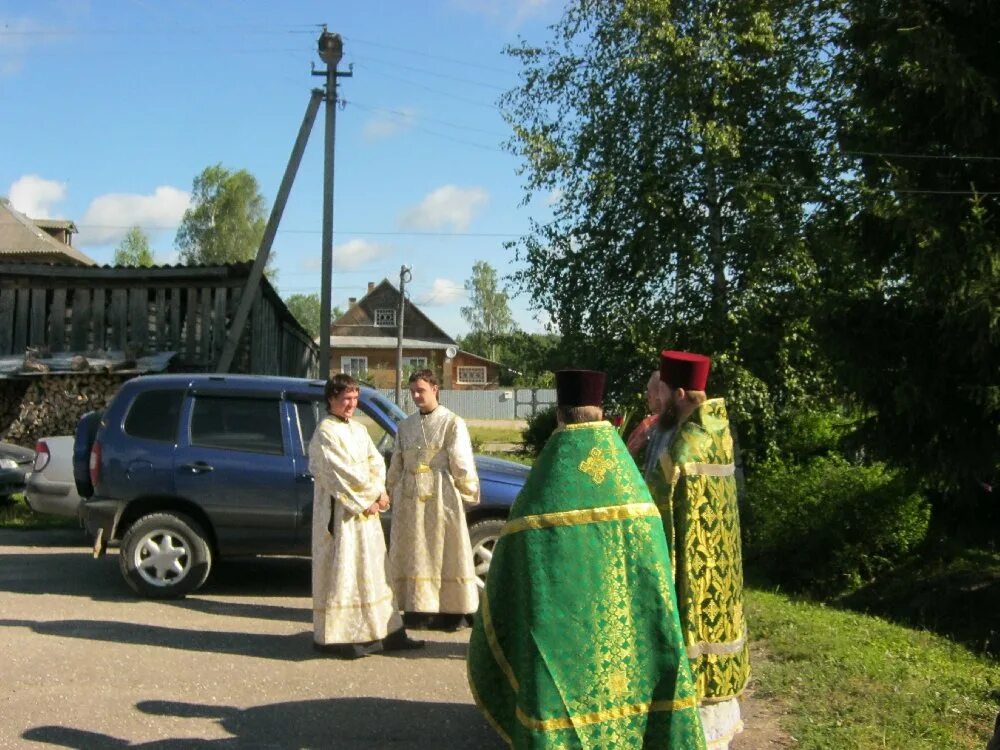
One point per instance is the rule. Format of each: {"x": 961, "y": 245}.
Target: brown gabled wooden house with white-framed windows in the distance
{"x": 363, "y": 343}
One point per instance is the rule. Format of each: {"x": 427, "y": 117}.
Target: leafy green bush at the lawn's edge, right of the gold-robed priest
{"x": 828, "y": 525}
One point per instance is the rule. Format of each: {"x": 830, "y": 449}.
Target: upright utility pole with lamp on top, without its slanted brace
{"x": 331, "y": 50}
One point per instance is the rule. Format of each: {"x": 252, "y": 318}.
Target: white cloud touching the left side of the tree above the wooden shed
{"x": 109, "y": 216}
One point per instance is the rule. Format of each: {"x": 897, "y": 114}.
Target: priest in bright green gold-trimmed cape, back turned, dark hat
{"x": 577, "y": 642}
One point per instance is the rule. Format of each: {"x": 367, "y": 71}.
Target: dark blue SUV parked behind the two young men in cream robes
{"x": 182, "y": 470}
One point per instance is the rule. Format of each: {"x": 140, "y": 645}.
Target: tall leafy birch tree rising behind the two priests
{"x": 676, "y": 139}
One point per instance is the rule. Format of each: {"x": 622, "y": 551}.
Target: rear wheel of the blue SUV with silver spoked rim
{"x": 165, "y": 556}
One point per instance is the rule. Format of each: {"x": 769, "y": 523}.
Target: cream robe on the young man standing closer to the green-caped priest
{"x": 432, "y": 477}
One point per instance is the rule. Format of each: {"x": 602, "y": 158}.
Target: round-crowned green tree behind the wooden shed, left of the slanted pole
{"x": 226, "y": 219}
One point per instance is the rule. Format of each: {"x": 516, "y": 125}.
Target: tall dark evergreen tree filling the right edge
{"x": 910, "y": 250}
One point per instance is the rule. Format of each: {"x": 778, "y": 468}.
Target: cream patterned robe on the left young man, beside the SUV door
{"x": 352, "y": 599}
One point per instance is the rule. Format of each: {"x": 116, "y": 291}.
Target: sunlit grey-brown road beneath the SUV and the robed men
{"x": 88, "y": 665}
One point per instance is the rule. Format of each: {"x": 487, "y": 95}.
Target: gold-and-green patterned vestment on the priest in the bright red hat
{"x": 694, "y": 486}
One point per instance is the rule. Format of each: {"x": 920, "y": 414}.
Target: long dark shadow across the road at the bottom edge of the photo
{"x": 344, "y": 722}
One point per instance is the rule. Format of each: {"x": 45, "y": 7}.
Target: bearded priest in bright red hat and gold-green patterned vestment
{"x": 692, "y": 480}
